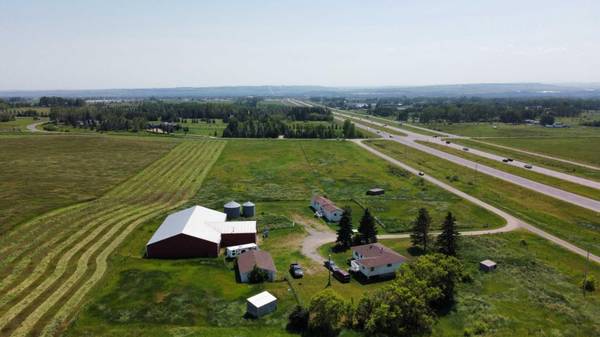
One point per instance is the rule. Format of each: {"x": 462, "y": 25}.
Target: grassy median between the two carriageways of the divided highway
{"x": 568, "y": 186}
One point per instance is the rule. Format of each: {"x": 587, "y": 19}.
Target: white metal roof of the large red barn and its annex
{"x": 200, "y": 222}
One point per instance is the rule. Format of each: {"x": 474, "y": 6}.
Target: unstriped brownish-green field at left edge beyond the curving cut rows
{"x": 45, "y": 172}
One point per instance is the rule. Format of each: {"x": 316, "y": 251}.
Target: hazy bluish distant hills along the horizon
{"x": 453, "y": 90}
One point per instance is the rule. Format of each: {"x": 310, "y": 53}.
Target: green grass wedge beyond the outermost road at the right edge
{"x": 579, "y": 149}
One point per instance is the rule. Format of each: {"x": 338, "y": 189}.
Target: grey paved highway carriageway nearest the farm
{"x": 411, "y": 139}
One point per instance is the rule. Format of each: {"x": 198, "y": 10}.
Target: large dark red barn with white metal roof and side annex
{"x": 198, "y": 232}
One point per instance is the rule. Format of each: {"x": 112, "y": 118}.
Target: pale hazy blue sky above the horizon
{"x": 154, "y": 44}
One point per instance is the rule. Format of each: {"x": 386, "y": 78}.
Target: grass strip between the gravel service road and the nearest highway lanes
{"x": 569, "y": 222}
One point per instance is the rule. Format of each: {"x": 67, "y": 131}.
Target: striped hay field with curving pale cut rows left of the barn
{"x": 50, "y": 263}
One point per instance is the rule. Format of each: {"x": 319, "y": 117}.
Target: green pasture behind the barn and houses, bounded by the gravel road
{"x": 281, "y": 176}
